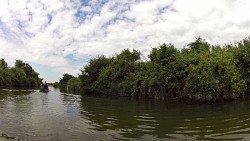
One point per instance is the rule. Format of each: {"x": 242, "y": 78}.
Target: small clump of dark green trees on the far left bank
{"x": 21, "y": 75}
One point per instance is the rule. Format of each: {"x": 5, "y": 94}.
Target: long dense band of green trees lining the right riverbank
{"x": 200, "y": 71}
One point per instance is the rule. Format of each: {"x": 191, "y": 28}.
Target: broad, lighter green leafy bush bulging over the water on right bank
{"x": 214, "y": 78}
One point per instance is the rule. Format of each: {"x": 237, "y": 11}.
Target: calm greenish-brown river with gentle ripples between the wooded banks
{"x": 55, "y": 116}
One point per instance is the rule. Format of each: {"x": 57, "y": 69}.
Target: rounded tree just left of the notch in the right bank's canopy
{"x": 114, "y": 79}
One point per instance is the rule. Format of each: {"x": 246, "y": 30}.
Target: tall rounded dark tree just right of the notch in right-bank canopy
{"x": 167, "y": 74}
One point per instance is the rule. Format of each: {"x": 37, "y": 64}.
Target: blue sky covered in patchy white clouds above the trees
{"x": 61, "y": 36}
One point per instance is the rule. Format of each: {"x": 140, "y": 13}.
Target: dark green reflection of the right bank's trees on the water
{"x": 156, "y": 120}
